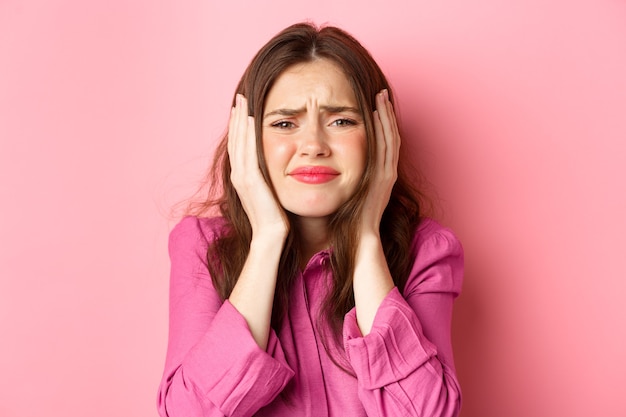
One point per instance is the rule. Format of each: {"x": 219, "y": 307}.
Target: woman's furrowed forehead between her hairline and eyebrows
{"x": 320, "y": 81}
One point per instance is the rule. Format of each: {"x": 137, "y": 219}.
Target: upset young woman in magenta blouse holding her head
{"x": 319, "y": 289}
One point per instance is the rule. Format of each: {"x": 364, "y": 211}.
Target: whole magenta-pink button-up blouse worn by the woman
{"x": 403, "y": 367}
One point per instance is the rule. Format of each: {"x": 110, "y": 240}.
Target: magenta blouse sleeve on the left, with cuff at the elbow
{"x": 213, "y": 365}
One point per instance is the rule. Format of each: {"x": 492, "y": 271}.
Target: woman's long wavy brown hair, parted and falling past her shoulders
{"x": 298, "y": 44}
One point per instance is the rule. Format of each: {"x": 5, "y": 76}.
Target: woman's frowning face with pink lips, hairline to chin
{"x": 314, "y": 139}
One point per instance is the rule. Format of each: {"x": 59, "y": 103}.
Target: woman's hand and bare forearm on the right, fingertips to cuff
{"x": 372, "y": 280}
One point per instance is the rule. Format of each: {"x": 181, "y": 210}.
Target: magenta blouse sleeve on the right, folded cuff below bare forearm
{"x": 405, "y": 365}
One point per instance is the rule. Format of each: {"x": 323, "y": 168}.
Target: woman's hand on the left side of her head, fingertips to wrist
{"x": 264, "y": 213}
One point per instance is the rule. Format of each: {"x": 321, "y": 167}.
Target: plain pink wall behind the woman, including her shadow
{"x": 108, "y": 114}
